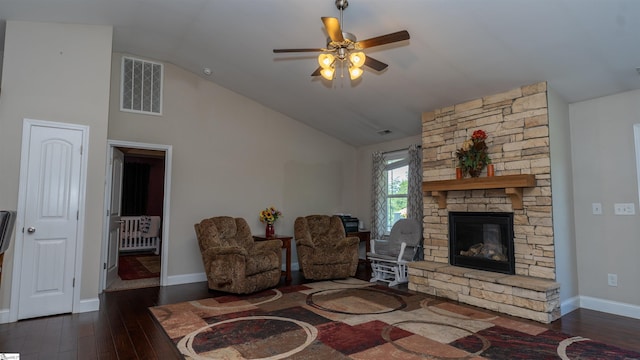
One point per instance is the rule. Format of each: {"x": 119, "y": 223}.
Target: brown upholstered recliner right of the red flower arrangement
{"x": 324, "y": 251}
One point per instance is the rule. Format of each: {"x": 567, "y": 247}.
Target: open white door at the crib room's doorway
{"x": 117, "y": 167}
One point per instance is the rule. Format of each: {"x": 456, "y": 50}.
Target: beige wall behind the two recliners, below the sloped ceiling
{"x": 233, "y": 156}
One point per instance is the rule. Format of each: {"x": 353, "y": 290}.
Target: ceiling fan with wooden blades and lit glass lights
{"x": 343, "y": 48}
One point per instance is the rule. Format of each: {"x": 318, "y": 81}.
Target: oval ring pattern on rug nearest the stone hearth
{"x": 324, "y": 300}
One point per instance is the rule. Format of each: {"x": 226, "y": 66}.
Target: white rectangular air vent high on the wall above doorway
{"x": 141, "y": 86}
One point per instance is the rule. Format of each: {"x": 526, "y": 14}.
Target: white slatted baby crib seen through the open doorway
{"x": 140, "y": 233}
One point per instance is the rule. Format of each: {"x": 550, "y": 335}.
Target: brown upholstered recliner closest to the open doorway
{"x": 233, "y": 261}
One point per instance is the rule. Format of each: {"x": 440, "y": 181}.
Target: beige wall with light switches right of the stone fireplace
{"x": 604, "y": 171}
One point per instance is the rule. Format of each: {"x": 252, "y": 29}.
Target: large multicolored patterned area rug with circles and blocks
{"x": 353, "y": 319}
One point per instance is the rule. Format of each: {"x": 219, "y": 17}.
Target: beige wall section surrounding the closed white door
{"x": 59, "y": 73}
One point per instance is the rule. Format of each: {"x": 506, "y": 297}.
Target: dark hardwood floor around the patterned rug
{"x": 125, "y": 329}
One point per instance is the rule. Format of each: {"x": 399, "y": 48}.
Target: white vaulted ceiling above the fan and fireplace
{"x": 459, "y": 50}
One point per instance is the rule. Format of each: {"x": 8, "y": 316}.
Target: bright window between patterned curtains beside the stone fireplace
{"x": 397, "y": 184}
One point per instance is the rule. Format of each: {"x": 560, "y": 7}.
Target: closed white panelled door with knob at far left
{"x": 51, "y": 212}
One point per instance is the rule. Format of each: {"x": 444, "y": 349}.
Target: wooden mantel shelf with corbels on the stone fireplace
{"x": 512, "y": 185}
